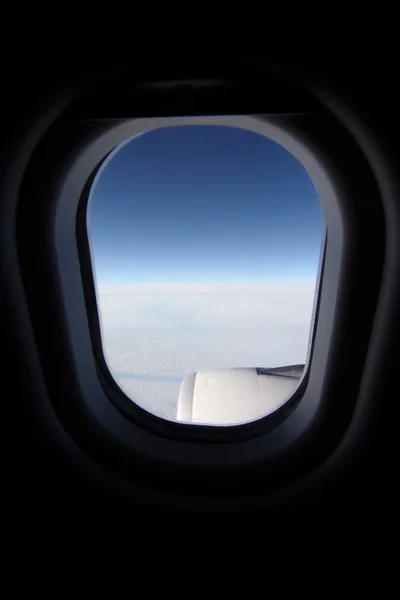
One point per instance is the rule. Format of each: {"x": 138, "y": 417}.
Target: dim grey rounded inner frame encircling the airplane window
{"x": 155, "y": 440}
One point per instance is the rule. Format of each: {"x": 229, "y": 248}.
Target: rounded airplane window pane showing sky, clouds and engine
{"x": 205, "y": 244}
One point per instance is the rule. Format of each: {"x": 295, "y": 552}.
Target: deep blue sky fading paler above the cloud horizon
{"x": 204, "y": 203}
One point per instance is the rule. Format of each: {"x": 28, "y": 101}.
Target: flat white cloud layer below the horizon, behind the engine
{"x": 156, "y": 334}
